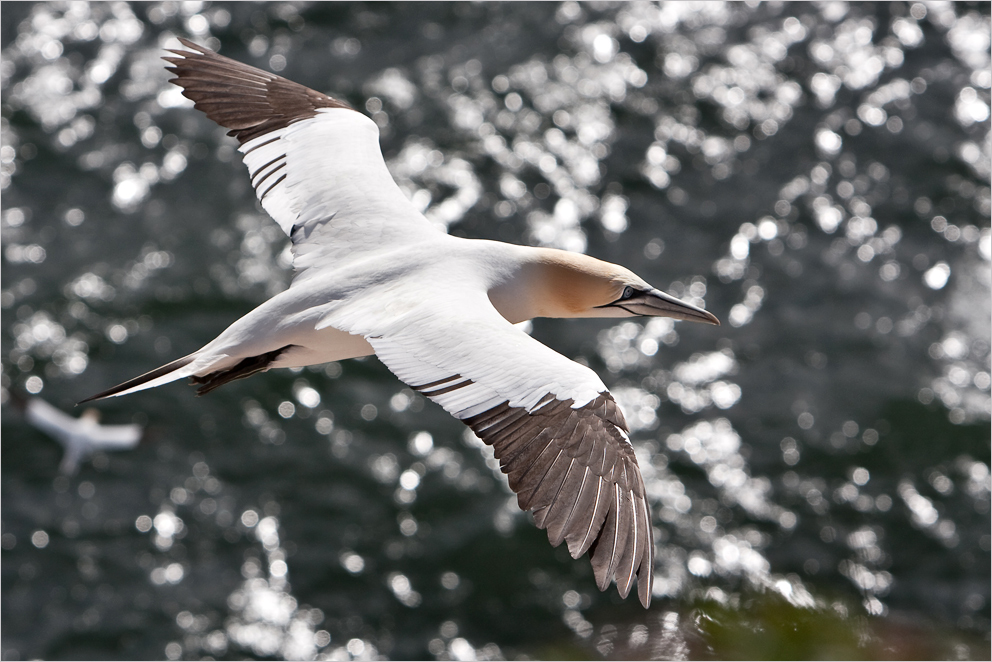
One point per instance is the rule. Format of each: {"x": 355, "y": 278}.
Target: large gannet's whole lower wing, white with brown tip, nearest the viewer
{"x": 554, "y": 426}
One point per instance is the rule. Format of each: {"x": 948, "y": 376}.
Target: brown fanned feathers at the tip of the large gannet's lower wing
{"x": 577, "y": 471}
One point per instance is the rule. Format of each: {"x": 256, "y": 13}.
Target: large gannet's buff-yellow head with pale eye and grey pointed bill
{"x": 576, "y": 285}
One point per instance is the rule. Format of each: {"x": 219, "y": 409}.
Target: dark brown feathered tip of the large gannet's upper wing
{"x": 248, "y": 101}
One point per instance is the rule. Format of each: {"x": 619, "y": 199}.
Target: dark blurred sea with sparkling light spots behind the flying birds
{"x": 816, "y": 174}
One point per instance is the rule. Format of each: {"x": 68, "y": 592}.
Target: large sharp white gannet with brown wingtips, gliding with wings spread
{"x": 373, "y": 275}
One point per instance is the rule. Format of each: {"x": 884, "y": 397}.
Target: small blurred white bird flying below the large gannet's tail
{"x": 81, "y": 436}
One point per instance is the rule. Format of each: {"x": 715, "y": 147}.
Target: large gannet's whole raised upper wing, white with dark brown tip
{"x": 314, "y": 162}
